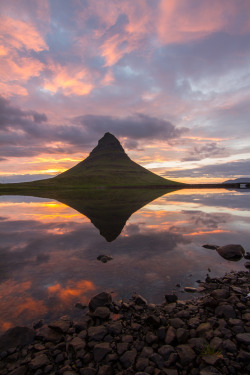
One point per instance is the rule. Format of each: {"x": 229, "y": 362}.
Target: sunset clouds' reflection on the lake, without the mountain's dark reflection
{"x": 48, "y": 265}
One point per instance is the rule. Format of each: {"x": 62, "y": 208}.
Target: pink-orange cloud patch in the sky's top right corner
{"x": 183, "y": 21}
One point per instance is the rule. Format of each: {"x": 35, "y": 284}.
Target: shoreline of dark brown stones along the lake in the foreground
{"x": 209, "y": 335}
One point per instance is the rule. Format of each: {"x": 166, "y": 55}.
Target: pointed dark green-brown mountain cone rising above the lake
{"x": 109, "y": 166}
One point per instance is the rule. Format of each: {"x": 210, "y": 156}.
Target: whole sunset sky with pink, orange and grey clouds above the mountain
{"x": 169, "y": 78}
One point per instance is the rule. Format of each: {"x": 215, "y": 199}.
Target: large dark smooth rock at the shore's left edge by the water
{"x": 15, "y": 337}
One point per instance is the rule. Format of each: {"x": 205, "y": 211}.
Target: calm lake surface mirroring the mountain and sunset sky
{"x": 49, "y": 249}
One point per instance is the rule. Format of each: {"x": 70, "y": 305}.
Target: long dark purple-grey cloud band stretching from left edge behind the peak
{"x": 29, "y": 133}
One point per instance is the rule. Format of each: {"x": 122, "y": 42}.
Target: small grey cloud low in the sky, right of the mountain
{"x": 209, "y": 150}
